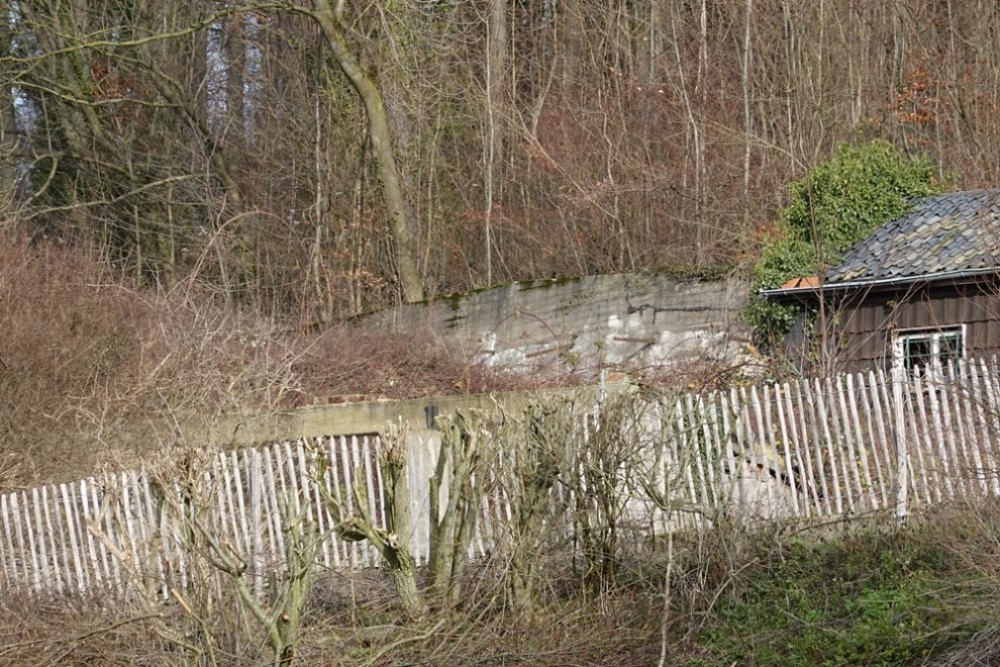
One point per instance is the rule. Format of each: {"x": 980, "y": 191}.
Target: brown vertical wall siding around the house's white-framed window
{"x": 864, "y": 325}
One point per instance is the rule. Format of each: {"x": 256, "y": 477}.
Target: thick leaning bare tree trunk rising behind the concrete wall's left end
{"x": 382, "y": 147}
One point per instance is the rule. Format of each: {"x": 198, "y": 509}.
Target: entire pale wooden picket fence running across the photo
{"x": 813, "y": 448}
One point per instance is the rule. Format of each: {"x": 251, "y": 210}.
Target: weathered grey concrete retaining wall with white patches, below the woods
{"x": 617, "y": 321}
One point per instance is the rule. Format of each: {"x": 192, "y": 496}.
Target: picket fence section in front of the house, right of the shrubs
{"x": 845, "y": 445}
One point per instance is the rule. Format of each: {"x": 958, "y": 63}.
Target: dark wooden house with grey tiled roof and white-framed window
{"x": 922, "y": 290}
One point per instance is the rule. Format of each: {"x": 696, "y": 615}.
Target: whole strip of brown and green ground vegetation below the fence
{"x": 859, "y": 592}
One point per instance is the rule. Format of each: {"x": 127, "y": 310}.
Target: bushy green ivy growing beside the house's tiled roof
{"x": 838, "y": 203}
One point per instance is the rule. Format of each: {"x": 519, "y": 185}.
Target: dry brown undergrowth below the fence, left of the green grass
{"x": 347, "y": 623}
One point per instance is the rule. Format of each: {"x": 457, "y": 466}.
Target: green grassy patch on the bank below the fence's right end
{"x": 871, "y": 599}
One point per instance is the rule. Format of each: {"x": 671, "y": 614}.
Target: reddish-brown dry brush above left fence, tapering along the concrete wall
{"x": 96, "y": 370}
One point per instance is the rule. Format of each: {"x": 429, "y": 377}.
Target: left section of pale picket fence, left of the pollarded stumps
{"x": 99, "y": 532}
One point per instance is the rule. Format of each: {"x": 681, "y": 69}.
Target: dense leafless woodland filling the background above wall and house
{"x": 228, "y": 140}
